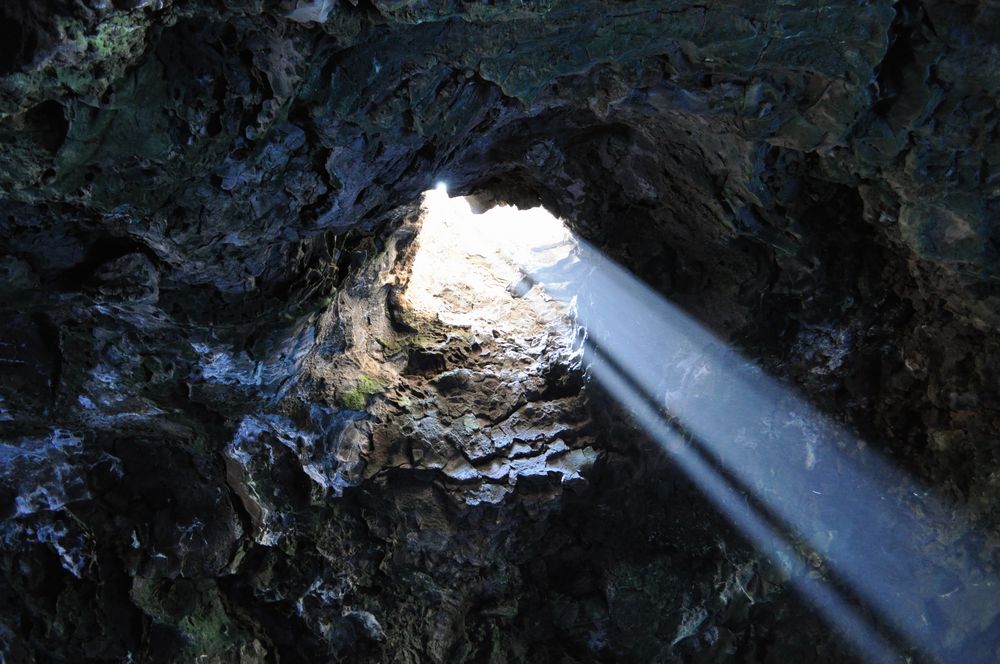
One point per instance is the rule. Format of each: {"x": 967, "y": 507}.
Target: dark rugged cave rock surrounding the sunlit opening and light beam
{"x": 191, "y": 189}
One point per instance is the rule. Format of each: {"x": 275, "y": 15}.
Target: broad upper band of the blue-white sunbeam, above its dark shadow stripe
{"x": 875, "y": 528}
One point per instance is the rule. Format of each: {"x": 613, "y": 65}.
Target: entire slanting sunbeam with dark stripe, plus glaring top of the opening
{"x": 779, "y": 469}
